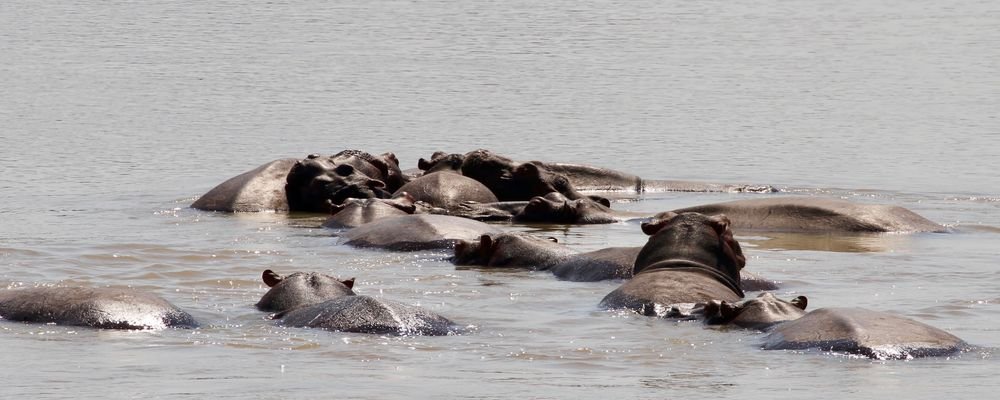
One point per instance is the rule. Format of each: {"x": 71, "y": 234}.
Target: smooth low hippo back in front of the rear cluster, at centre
{"x": 416, "y": 232}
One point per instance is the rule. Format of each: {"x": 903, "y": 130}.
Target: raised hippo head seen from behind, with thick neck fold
{"x": 695, "y": 237}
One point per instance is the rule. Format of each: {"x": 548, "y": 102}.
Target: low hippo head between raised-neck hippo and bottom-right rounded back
{"x": 759, "y": 313}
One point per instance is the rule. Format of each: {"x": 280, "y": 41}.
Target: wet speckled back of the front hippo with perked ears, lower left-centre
{"x": 366, "y": 314}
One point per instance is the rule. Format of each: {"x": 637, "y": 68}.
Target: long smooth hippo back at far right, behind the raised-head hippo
{"x": 816, "y": 214}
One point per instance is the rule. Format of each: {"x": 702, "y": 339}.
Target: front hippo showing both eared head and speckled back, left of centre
{"x": 313, "y": 300}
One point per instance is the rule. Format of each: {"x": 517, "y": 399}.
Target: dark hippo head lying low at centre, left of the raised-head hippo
{"x": 508, "y": 250}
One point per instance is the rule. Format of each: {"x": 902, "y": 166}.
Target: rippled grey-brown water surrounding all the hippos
{"x": 117, "y": 115}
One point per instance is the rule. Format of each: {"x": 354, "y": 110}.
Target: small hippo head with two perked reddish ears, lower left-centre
{"x": 301, "y": 289}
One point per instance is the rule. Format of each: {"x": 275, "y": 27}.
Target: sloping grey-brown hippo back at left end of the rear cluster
{"x": 260, "y": 189}
